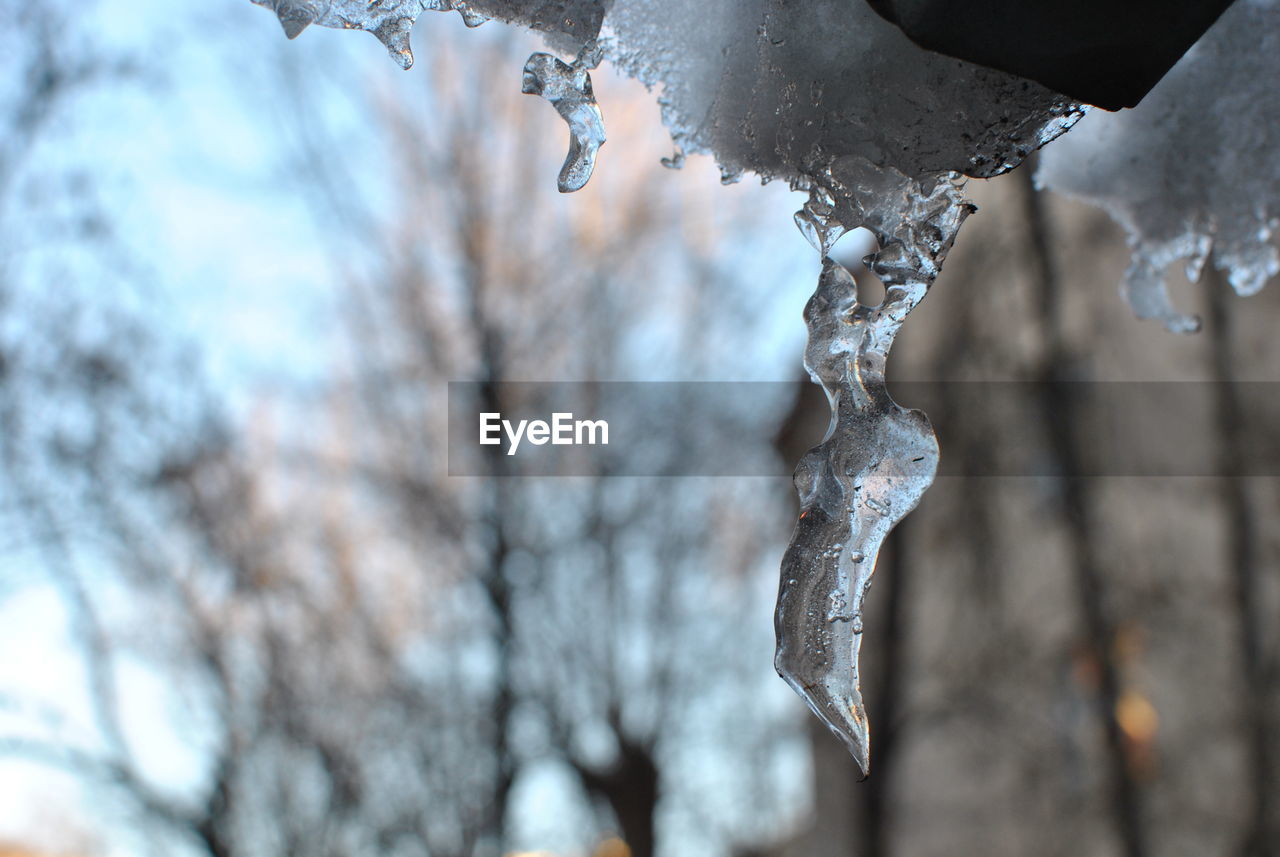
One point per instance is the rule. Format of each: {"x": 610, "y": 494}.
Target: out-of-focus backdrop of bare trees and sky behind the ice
{"x": 244, "y": 611}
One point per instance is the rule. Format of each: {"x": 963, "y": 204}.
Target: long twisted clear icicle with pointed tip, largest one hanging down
{"x": 875, "y": 464}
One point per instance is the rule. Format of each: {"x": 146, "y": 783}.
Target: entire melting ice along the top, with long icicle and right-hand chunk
{"x": 881, "y": 135}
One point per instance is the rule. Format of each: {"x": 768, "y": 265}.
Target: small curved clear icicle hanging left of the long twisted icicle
{"x": 569, "y": 89}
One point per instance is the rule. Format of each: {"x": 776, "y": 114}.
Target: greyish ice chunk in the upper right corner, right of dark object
{"x": 1194, "y": 172}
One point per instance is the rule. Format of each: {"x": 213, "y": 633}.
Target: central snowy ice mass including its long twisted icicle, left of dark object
{"x": 880, "y": 132}
